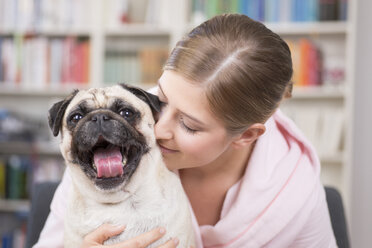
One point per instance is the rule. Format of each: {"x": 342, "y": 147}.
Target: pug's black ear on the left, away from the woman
{"x": 57, "y": 111}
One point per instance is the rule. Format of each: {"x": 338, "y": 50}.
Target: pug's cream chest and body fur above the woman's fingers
{"x": 151, "y": 206}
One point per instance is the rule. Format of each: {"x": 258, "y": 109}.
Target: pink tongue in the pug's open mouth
{"x": 108, "y": 162}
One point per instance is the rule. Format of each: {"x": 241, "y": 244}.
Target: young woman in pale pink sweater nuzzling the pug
{"x": 251, "y": 177}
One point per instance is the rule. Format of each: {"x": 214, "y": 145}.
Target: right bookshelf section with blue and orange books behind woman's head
{"x": 320, "y": 104}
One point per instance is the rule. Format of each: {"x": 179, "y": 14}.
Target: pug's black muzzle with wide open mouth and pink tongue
{"x": 106, "y": 146}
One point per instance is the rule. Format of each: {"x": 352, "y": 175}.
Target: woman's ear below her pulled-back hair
{"x": 249, "y": 136}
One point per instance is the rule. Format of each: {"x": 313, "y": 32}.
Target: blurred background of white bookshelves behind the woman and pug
{"x": 50, "y": 47}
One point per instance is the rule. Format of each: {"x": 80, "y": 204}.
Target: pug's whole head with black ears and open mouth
{"x": 105, "y": 131}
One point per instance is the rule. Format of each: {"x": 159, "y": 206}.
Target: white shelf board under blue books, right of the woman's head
{"x": 309, "y": 28}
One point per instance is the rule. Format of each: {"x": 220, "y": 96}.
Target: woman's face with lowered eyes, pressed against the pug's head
{"x": 187, "y": 132}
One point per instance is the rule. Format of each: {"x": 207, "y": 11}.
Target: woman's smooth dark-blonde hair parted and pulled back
{"x": 244, "y": 67}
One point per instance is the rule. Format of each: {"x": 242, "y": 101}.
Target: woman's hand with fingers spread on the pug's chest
{"x": 96, "y": 238}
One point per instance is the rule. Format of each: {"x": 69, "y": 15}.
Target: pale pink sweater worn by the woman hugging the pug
{"x": 279, "y": 202}
